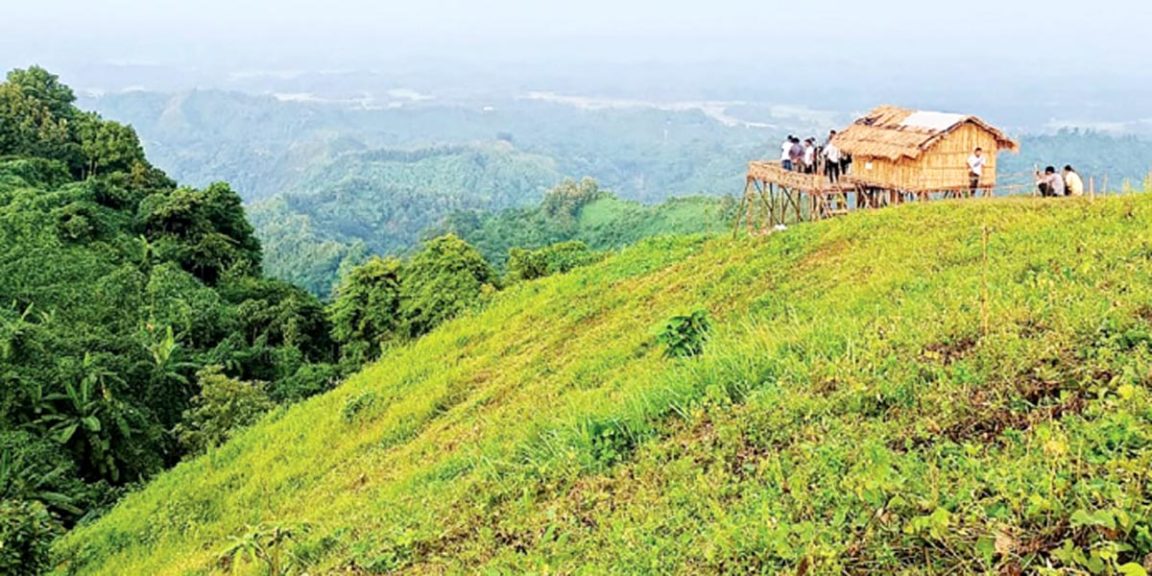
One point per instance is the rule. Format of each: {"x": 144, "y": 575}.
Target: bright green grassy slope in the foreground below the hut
{"x": 881, "y": 396}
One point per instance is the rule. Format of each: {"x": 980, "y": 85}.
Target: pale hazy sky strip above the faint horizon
{"x": 1043, "y": 33}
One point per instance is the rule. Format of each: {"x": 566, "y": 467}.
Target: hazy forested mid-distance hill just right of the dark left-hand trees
{"x": 382, "y": 201}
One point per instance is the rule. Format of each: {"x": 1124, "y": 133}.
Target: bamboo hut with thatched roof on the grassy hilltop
{"x": 920, "y": 153}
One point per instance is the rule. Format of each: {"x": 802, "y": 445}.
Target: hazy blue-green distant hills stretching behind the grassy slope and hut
{"x": 331, "y": 183}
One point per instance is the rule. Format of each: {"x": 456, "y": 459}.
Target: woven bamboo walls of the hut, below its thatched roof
{"x": 943, "y": 168}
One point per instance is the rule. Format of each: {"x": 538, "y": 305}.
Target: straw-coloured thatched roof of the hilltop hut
{"x": 896, "y": 133}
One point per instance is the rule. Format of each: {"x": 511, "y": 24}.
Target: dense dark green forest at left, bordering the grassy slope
{"x": 138, "y": 328}
